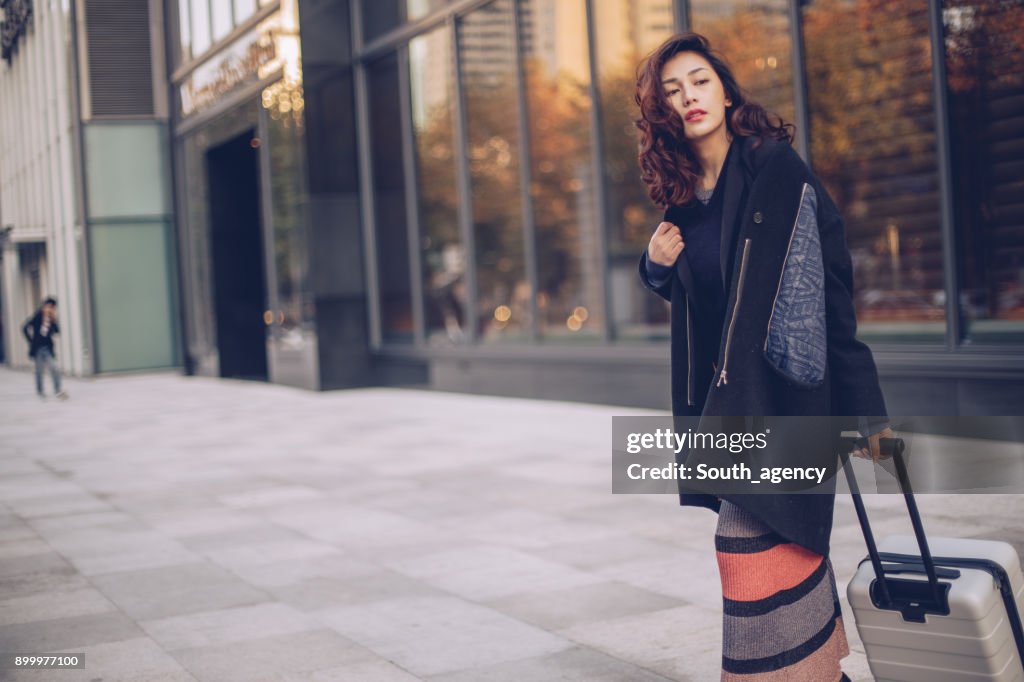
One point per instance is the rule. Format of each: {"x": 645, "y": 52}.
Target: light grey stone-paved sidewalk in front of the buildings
{"x": 186, "y": 529}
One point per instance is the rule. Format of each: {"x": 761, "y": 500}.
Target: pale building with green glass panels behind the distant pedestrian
{"x": 86, "y": 190}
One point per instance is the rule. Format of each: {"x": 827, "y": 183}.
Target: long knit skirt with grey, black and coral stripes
{"x": 782, "y": 619}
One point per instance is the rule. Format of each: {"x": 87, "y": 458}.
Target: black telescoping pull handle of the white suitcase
{"x": 893, "y": 448}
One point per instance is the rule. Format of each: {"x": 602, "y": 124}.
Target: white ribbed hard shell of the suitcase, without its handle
{"x": 975, "y": 642}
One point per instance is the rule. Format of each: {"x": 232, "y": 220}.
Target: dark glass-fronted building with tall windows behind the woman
{"x": 446, "y": 193}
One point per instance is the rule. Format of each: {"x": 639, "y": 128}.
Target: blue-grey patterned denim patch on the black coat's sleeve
{"x": 796, "y": 344}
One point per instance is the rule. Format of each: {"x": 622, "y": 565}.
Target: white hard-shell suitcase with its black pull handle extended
{"x": 959, "y": 619}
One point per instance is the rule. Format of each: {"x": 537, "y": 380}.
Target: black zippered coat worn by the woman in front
{"x": 788, "y": 347}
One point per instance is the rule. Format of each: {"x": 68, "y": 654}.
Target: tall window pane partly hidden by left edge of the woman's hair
{"x": 625, "y": 32}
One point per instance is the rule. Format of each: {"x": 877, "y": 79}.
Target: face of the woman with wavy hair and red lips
{"x": 697, "y": 94}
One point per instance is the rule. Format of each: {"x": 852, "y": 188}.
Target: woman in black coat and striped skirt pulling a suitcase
{"x": 752, "y": 255}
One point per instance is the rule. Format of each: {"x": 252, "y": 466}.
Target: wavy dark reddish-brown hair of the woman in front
{"x": 668, "y": 165}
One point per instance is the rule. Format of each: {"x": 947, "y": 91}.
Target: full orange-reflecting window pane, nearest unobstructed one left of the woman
{"x": 570, "y": 299}
